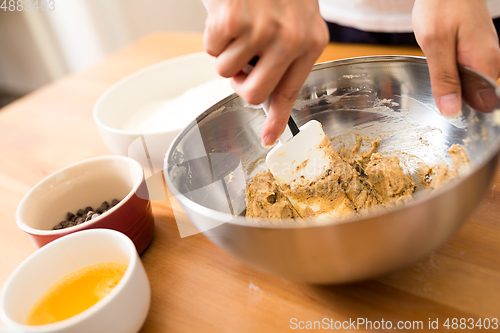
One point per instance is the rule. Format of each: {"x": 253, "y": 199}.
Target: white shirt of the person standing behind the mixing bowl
{"x": 378, "y": 15}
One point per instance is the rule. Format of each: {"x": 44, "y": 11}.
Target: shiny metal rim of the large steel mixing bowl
{"x": 492, "y": 151}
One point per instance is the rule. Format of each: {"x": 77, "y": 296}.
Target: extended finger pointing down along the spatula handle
{"x": 284, "y": 97}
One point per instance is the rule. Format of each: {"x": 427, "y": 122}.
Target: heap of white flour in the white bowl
{"x": 177, "y": 113}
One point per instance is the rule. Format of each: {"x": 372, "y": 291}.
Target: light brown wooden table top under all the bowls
{"x": 196, "y": 287}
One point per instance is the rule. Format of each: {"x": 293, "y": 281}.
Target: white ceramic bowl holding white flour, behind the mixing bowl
{"x": 121, "y": 103}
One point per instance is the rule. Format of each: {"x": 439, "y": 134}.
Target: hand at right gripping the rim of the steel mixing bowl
{"x": 451, "y": 31}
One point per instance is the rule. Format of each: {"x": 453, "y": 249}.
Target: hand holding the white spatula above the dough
{"x": 287, "y": 35}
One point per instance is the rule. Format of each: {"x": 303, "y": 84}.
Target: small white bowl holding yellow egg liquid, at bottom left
{"x": 123, "y": 310}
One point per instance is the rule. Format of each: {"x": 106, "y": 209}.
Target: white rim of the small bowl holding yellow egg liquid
{"x": 131, "y": 267}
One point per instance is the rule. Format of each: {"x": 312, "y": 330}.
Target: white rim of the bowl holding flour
{"x": 131, "y": 77}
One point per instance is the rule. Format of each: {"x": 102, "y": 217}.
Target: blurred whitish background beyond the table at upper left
{"x": 38, "y": 47}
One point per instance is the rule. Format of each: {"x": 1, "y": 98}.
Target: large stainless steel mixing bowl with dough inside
{"x": 213, "y": 159}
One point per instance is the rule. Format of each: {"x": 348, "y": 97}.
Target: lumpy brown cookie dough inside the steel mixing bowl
{"x": 358, "y": 180}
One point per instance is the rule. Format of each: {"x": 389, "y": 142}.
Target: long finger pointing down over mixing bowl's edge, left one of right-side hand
{"x": 445, "y": 81}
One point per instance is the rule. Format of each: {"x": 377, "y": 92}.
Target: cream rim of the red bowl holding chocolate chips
{"x": 47, "y": 232}
